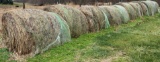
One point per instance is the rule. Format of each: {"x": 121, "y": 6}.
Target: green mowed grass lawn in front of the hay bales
{"x": 137, "y": 41}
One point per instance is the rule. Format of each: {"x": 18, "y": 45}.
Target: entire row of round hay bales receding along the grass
{"x": 35, "y": 31}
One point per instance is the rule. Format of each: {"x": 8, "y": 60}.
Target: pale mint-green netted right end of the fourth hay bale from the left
{"x": 123, "y": 13}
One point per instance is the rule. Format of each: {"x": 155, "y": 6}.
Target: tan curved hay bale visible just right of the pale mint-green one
{"x": 130, "y": 9}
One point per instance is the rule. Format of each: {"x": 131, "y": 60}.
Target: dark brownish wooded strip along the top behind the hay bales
{"x": 80, "y": 2}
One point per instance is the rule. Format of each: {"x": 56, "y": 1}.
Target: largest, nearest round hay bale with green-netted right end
{"x": 33, "y": 31}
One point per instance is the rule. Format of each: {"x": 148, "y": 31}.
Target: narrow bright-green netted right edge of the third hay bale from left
{"x": 106, "y": 14}
